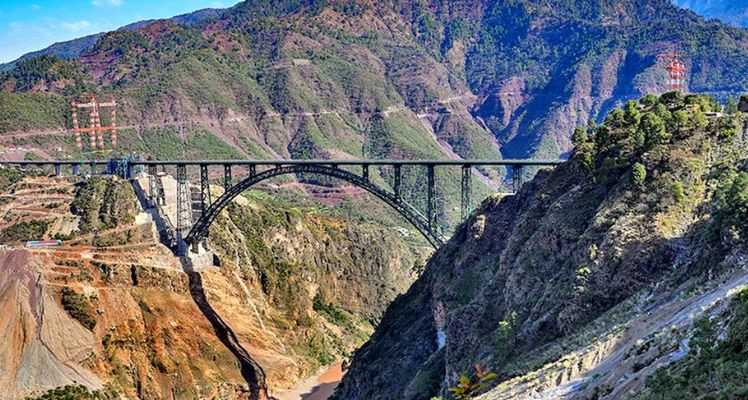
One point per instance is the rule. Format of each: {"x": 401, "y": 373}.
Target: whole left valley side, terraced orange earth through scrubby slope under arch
{"x": 113, "y": 310}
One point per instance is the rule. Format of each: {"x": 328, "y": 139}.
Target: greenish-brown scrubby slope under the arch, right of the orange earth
{"x": 315, "y": 269}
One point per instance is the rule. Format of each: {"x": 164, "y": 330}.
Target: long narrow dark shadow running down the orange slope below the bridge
{"x": 251, "y": 371}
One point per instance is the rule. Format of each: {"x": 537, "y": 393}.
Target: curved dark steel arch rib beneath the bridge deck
{"x": 199, "y": 230}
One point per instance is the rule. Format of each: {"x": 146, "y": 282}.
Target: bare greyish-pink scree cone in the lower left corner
{"x": 43, "y": 347}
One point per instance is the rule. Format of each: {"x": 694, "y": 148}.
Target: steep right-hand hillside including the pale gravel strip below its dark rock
{"x": 587, "y": 281}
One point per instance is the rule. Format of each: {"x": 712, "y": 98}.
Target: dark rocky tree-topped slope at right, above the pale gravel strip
{"x": 654, "y": 195}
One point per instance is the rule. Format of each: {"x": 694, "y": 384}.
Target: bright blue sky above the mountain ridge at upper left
{"x": 28, "y": 25}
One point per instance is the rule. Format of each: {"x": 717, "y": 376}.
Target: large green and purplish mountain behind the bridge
{"x": 352, "y": 79}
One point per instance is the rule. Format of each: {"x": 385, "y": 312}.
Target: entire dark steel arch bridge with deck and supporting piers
{"x": 193, "y": 232}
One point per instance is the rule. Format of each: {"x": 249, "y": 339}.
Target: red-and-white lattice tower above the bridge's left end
{"x": 91, "y": 113}
